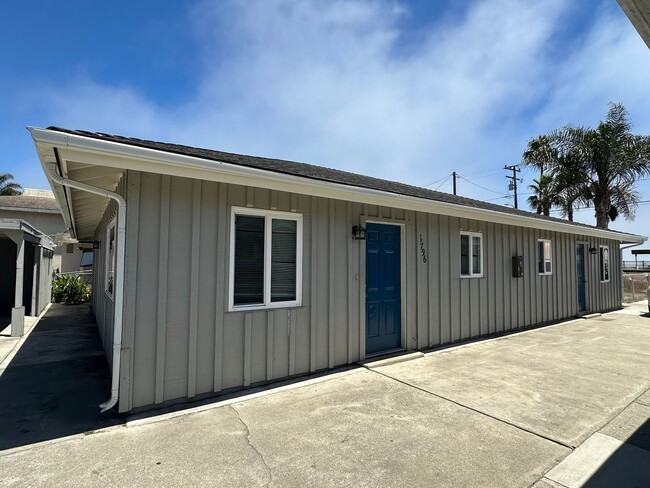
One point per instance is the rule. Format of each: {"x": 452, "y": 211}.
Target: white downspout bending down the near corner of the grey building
{"x": 119, "y": 275}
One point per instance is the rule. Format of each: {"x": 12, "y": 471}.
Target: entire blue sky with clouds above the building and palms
{"x": 405, "y": 90}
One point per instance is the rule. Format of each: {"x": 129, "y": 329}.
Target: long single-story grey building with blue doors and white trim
{"x": 222, "y": 271}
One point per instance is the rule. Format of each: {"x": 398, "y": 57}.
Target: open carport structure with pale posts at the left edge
{"x": 25, "y": 272}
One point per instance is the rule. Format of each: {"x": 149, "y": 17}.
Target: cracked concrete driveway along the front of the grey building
{"x": 559, "y": 406}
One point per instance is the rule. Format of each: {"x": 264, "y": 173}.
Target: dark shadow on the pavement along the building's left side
{"x": 53, "y": 386}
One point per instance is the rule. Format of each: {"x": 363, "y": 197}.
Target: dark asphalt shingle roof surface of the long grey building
{"x": 314, "y": 172}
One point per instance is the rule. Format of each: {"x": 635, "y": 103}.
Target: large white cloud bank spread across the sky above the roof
{"x": 330, "y": 82}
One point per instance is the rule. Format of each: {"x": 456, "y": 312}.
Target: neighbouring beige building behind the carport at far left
{"x": 40, "y": 209}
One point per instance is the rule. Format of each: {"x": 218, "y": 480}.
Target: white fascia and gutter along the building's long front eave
{"x": 112, "y": 154}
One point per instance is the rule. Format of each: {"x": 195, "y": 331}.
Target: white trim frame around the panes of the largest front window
{"x": 268, "y": 214}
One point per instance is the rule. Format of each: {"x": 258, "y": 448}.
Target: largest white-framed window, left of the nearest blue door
{"x": 265, "y": 259}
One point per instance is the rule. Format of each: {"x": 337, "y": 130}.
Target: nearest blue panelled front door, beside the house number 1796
{"x": 383, "y": 288}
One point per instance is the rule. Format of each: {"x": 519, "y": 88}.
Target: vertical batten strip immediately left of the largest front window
{"x": 220, "y": 285}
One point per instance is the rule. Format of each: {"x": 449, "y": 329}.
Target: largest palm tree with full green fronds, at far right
{"x": 609, "y": 159}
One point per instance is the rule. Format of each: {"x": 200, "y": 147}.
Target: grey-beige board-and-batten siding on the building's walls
{"x": 180, "y": 340}
